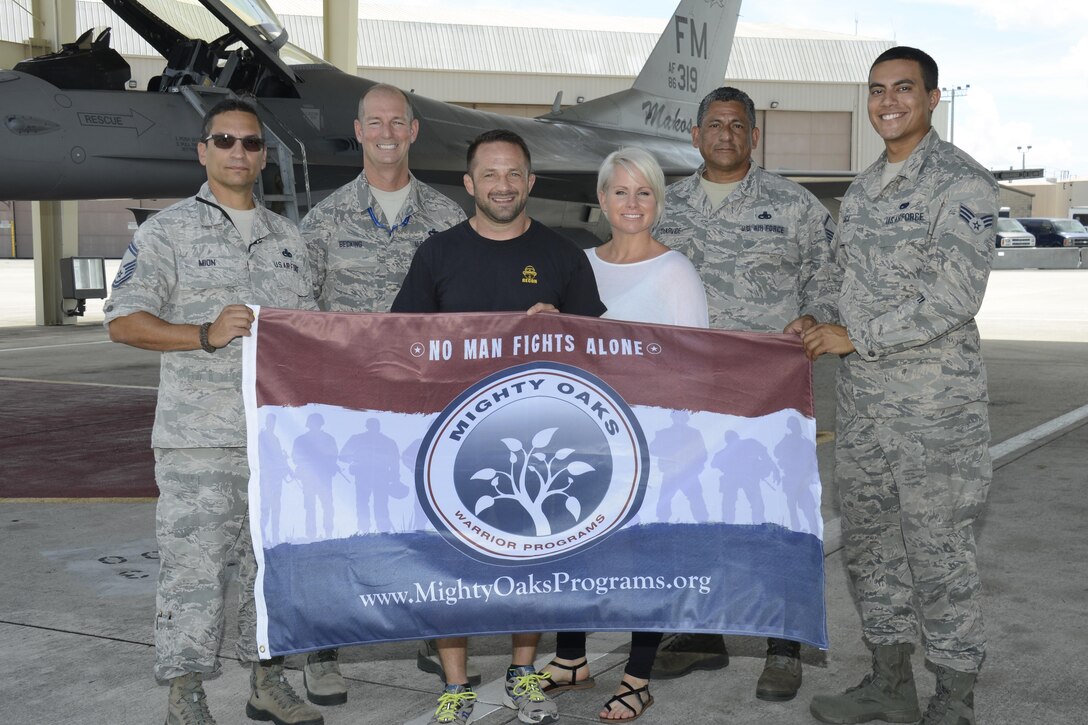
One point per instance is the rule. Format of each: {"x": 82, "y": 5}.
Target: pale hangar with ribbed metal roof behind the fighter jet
{"x": 809, "y": 87}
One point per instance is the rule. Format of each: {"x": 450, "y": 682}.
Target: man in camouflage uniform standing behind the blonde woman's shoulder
{"x": 763, "y": 247}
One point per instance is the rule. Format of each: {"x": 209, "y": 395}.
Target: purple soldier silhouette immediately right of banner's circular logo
{"x": 682, "y": 458}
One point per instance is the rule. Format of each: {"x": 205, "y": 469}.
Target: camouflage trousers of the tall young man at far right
{"x": 910, "y": 491}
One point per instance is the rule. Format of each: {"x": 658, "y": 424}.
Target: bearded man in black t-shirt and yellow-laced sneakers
{"x": 500, "y": 261}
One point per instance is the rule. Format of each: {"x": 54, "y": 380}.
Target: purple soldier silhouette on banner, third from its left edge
{"x": 375, "y": 463}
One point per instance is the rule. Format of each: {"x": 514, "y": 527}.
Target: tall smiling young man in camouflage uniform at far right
{"x": 912, "y": 457}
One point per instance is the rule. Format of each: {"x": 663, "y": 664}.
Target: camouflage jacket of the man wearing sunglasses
{"x": 184, "y": 265}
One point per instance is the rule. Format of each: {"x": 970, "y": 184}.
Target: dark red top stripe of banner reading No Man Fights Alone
{"x": 378, "y": 362}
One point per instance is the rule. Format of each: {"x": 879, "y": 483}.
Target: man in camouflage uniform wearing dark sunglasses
{"x": 182, "y": 289}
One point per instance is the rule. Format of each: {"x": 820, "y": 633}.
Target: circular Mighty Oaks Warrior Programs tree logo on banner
{"x": 533, "y": 463}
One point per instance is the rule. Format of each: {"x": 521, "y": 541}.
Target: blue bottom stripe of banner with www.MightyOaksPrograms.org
{"x": 764, "y": 581}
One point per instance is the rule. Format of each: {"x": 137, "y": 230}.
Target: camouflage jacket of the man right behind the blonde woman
{"x": 765, "y": 255}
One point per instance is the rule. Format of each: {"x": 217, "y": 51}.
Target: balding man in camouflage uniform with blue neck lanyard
{"x": 362, "y": 240}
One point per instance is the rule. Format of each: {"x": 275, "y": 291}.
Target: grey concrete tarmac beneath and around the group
{"x": 78, "y": 576}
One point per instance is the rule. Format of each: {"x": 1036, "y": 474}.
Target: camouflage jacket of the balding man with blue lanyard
{"x": 360, "y": 260}
